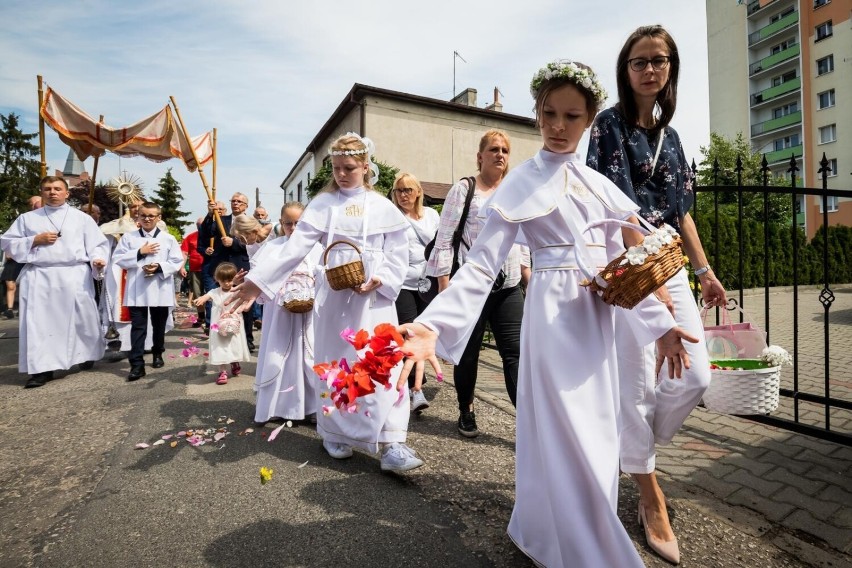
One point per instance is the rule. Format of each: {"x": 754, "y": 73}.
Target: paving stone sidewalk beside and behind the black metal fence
{"x": 796, "y": 484}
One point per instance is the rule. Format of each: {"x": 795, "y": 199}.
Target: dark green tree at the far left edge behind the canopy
{"x": 19, "y": 169}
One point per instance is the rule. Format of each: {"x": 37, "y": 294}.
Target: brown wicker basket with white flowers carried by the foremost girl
{"x": 628, "y": 284}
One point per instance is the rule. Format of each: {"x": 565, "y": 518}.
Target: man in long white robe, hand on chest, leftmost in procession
{"x": 63, "y": 250}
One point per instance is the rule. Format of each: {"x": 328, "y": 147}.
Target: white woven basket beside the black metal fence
{"x": 749, "y": 391}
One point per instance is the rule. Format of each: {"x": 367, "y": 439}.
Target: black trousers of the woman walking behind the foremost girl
{"x": 503, "y": 310}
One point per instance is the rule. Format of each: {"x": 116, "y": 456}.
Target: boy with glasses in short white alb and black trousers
{"x": 151, "y": 257}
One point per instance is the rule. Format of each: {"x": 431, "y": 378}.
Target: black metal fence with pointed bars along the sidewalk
{"x": 813, "y": 402}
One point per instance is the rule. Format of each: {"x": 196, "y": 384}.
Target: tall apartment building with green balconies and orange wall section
{"x": 781, "y": 73}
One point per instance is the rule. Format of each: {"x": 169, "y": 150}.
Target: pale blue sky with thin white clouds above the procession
{"x": 268, "y": 74}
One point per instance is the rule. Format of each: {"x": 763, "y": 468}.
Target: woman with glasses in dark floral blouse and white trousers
{"x": 634, "y": 146}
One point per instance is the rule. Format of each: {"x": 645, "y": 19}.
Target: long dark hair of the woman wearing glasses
{"x": 667, "y": 97}
